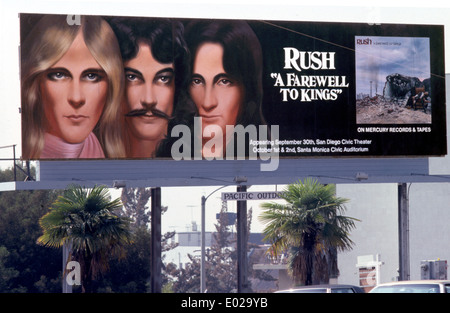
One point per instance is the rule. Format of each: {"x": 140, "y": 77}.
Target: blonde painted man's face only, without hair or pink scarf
{"x": 74, "y": 92}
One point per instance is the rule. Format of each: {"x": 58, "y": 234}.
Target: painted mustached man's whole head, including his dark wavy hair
{"x": 152, "y": 50}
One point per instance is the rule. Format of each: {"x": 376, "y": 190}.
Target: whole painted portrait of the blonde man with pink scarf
{"x": 72, "y": 85}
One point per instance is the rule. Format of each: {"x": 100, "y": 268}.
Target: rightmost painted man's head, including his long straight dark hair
{"x": 226, "y": 77}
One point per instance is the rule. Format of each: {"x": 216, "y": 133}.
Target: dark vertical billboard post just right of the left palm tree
{"x": 156, "y": 241}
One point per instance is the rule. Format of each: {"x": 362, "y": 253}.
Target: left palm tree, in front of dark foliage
{"x": 86, "y": 219}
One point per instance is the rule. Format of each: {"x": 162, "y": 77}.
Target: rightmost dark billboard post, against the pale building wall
{"x": 403, "y": 232}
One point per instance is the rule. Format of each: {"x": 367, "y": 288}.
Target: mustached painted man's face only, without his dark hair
{"x": 150, "y": 90}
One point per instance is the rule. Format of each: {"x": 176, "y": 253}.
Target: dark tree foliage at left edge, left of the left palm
{"x": 24, "y": 265}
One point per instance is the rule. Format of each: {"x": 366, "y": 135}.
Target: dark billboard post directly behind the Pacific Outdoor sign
{"x": 242, "y": 238}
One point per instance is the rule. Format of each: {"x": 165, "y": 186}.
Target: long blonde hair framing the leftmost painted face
{"x": 44, "y": 46}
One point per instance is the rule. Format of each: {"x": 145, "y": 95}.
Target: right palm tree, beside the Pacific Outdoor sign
{"x": 311, "y": 227}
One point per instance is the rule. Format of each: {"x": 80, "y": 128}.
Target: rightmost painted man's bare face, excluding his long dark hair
{"x": 217, "y": 95}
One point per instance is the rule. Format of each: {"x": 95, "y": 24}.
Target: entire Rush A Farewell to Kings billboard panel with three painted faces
{"x": 102, "y": 87}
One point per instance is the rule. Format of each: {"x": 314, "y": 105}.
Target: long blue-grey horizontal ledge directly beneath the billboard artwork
{"x": 143, "y": 173}
